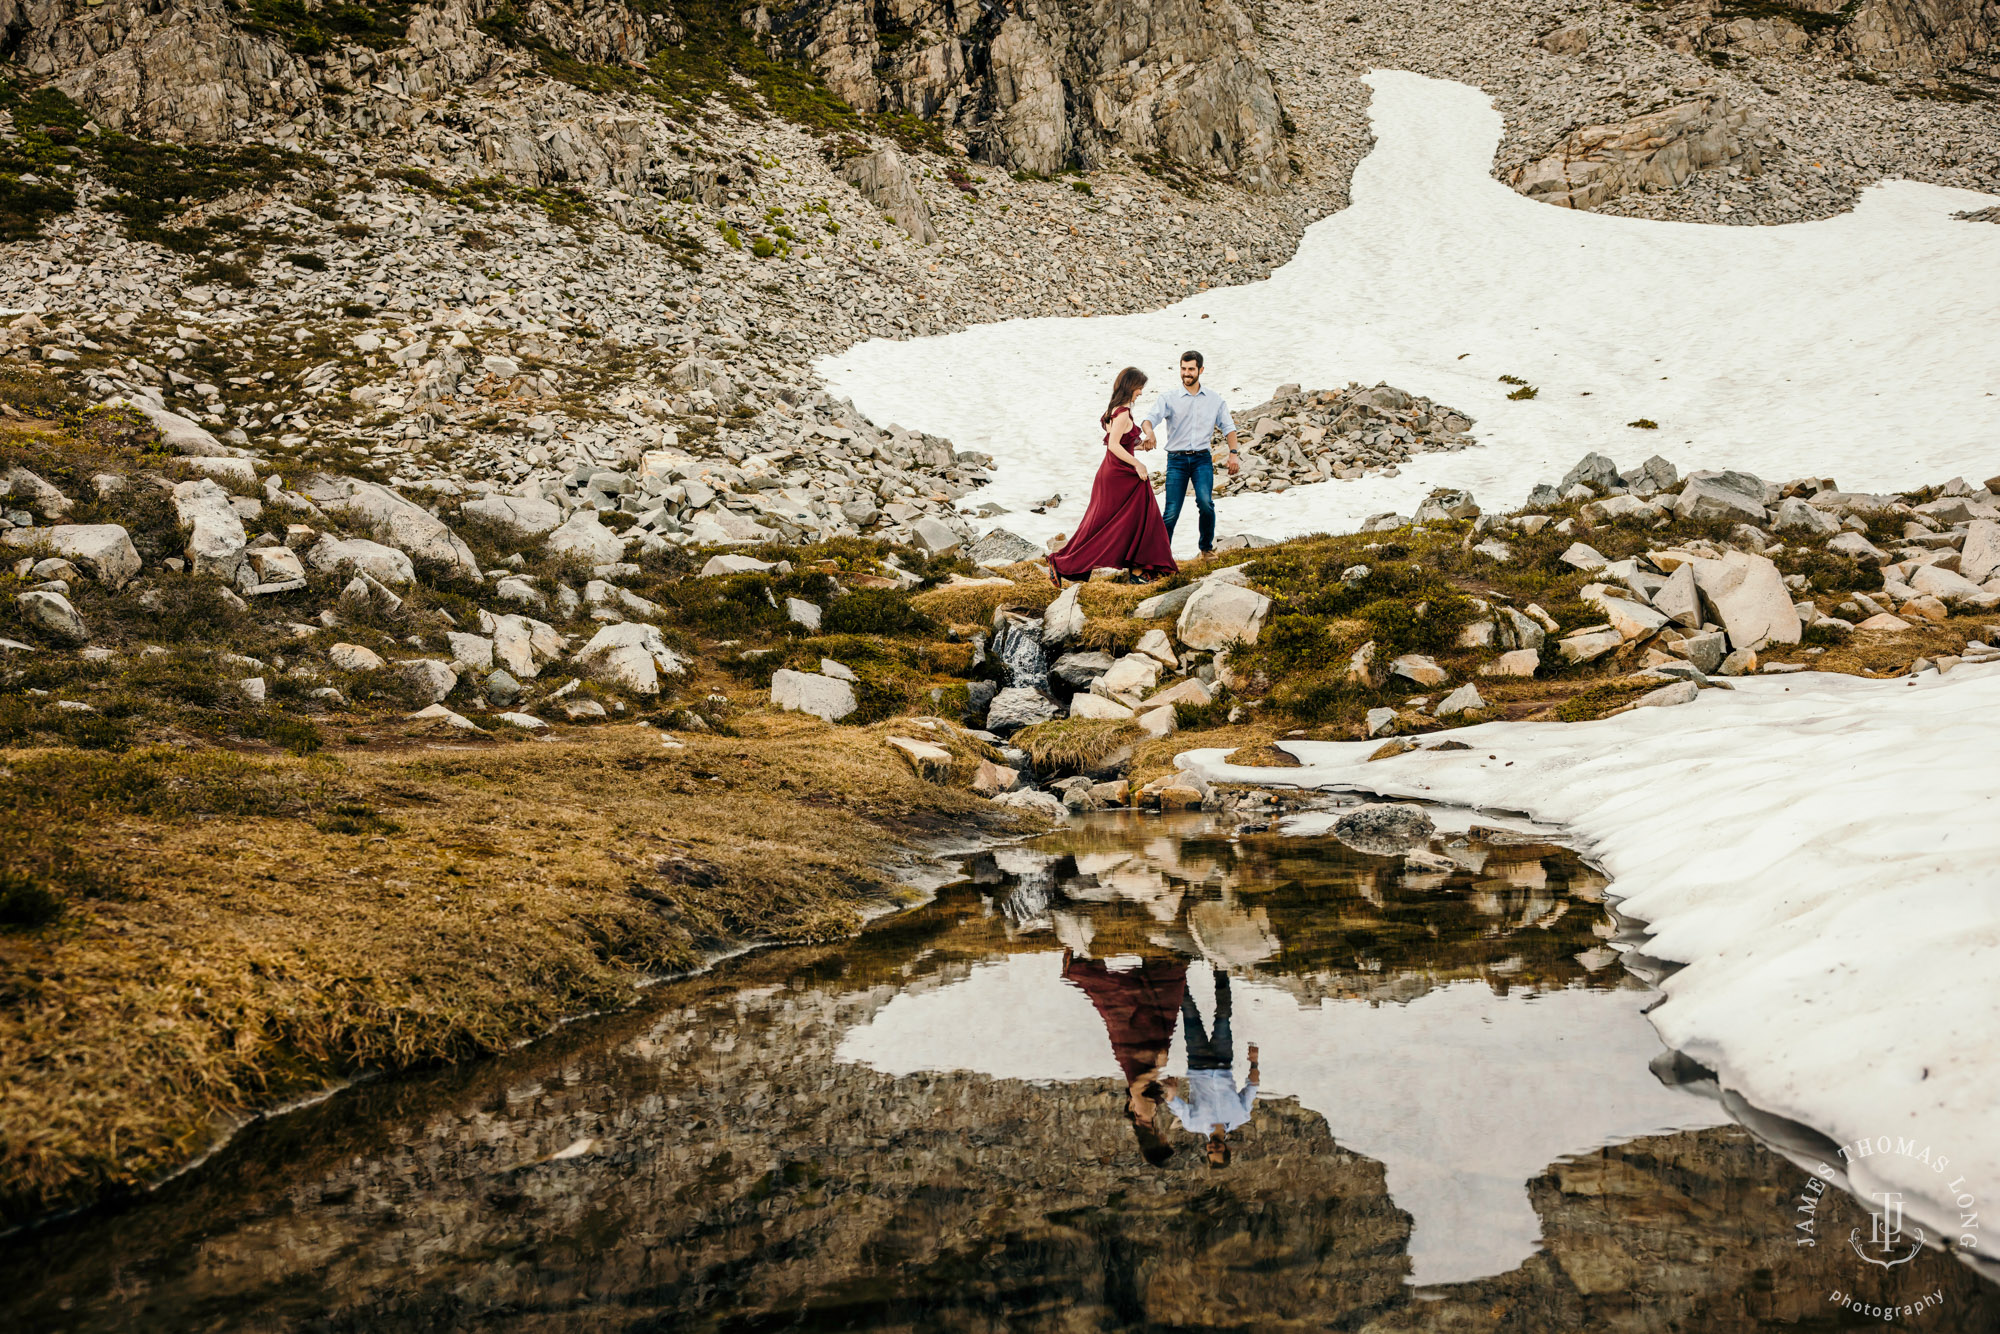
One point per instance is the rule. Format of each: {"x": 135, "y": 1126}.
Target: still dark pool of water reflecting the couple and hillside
{"x": 971, "y": 1119}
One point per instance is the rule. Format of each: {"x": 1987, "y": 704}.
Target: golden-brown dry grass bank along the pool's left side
{"x": 287, "y": 923}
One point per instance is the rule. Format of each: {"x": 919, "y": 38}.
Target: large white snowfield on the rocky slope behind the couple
{"x": 1865, "y": 347}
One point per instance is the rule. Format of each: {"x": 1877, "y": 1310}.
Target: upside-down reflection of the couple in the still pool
{"x": 1141, "y": 1007}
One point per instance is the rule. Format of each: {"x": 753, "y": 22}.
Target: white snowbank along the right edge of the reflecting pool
{"x": 1823, "y": 853}
